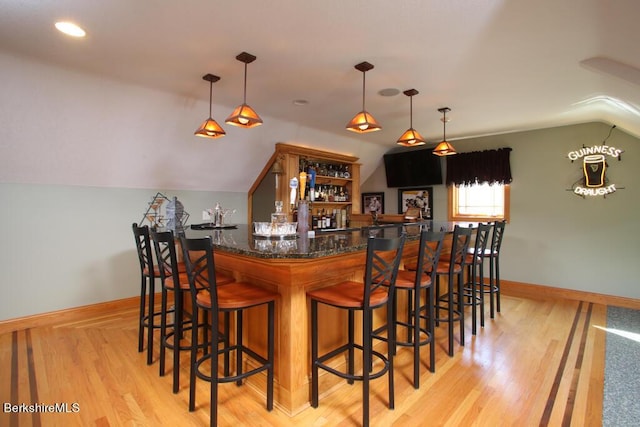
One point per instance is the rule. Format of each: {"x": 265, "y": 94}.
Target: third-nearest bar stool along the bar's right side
{"x": 453, "y": 268}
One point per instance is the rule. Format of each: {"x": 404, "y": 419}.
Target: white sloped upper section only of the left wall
{"x": 63, "y": 127}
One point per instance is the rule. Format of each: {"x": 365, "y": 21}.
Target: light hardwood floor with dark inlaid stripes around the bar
{"x": 539, "y": 362}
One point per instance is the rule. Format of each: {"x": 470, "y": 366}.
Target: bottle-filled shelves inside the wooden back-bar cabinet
{"x": 329, "y": 193}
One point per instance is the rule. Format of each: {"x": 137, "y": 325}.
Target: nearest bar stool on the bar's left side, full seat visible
{"x": 234, "y": 298}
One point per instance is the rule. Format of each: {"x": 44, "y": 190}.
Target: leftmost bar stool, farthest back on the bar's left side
{"x": 148, "y": 274}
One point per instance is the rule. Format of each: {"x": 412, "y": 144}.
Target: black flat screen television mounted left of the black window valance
{"x": 413, "y": 168}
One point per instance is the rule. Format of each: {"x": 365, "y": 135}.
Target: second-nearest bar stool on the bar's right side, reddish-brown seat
{"x": 419, "y": 310}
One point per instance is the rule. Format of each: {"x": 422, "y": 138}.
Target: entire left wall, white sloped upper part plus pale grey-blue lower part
{"x": 80, "y": 158}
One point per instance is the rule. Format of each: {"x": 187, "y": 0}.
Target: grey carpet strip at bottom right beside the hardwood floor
{"x": 621, "y": 406}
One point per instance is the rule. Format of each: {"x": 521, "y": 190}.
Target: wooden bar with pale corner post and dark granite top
{"x": 291, "y": 267}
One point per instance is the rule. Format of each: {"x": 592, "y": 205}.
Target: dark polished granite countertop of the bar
{"x": 240, "y": 240}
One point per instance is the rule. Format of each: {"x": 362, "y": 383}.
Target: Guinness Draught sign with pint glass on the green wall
{"x": 594, "y": 166}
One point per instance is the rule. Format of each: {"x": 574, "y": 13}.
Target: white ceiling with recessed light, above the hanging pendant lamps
{"x": 500, "y": 65}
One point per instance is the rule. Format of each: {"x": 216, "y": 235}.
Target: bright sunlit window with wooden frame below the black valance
{"x": 479, "y": 202}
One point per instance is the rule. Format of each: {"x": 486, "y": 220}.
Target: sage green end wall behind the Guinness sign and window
{"x": 556, "y": 238}
